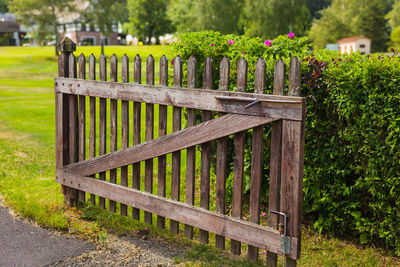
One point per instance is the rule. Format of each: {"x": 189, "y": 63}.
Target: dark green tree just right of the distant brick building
{"x": 148, "y": 19}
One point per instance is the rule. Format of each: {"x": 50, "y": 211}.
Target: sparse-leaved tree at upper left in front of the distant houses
{"x": 43, "y": 14}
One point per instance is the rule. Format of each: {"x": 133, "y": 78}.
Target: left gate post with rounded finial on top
{"x": 67, "y": 47}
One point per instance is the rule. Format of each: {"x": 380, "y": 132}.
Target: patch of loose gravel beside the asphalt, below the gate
{"x": 128, "y": 251}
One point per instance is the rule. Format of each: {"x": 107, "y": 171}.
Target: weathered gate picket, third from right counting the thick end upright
{"x": 256, "y": 159}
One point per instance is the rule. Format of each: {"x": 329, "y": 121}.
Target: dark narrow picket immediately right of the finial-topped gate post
{"x": 73, "y": 125}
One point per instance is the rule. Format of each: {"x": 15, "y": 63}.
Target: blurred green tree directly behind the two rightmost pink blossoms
{"x": 270, "y": 18}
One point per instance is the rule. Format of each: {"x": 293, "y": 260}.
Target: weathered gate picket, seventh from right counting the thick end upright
{"x": 191, "y": 151}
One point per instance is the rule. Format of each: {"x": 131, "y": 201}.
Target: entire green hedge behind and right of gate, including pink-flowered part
{"x": 352, "y": 152}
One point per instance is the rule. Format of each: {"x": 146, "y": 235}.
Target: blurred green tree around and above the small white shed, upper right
{"x": 346, "y": 18}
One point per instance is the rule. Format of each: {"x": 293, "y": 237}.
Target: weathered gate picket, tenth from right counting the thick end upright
{"x": 148, "y": 175}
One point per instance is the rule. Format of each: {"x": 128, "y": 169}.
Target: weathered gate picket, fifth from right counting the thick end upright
{"x": 222, "y": 148}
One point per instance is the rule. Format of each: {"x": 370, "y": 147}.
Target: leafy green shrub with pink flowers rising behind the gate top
{"x": 217, "y": 46}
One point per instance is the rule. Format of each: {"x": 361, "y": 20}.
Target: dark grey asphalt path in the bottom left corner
{"x": 22, "y": 244}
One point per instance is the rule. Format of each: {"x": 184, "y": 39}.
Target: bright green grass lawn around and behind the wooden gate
{"x": 27, "y": 138}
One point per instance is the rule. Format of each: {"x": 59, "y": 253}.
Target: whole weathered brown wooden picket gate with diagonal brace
{"x": 238, "y": 112}
